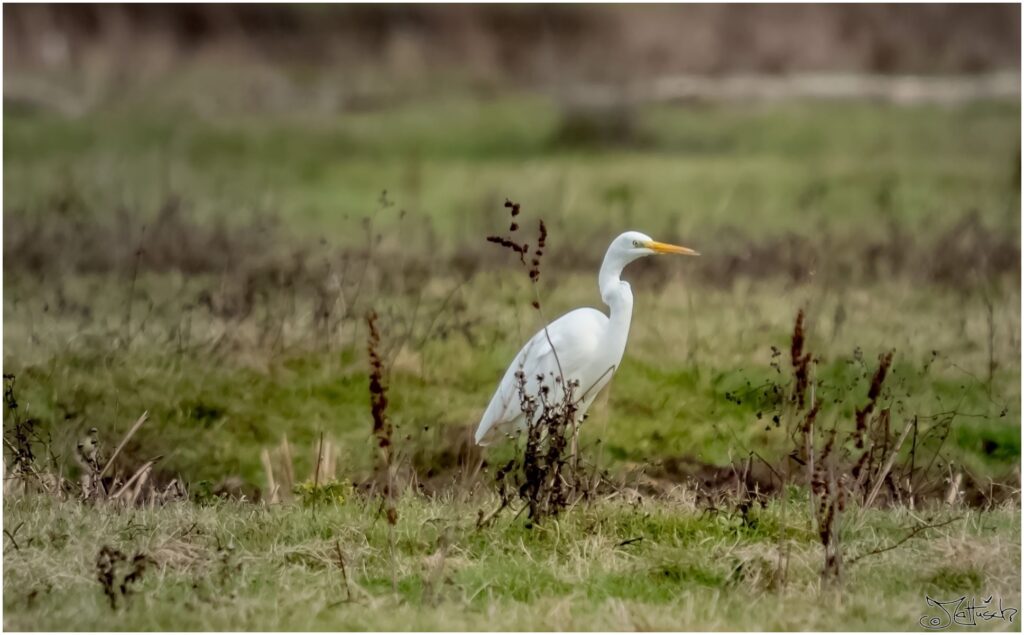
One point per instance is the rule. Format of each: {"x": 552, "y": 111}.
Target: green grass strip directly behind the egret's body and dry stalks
{"x": 212, "y": 413}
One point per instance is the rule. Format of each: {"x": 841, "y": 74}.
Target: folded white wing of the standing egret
{"x": 574, "y": 337}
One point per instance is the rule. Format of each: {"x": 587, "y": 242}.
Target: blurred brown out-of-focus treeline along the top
{"x": 525, "y": 44}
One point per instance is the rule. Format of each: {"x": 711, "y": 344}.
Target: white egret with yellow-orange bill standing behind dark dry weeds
{"x": 584, "y": 346}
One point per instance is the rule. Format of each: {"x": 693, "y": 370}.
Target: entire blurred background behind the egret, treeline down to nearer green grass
{"x": 204, "y": 201}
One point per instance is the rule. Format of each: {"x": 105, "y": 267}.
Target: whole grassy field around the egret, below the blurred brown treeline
{"x": 215, "y": 270}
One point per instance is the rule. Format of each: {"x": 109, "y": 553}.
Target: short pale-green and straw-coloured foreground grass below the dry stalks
{"x": 243, "y": 568}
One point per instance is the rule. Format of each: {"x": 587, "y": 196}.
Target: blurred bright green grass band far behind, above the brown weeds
{"x": 765, "y": 170}
